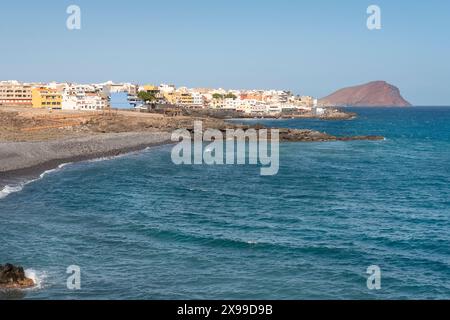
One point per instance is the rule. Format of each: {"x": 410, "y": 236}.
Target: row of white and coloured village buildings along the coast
{"x": 145, "y": 98}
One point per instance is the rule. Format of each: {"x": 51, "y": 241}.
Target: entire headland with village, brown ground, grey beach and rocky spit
{"x": 43, "y": 124}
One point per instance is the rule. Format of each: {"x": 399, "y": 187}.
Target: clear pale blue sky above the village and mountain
{"x": 308, "y": 47}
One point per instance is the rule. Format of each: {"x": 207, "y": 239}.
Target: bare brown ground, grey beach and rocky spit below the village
{"x": 34, "y": 141}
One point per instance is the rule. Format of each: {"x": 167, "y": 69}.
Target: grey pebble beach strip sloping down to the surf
{"x": 30, "y": 159}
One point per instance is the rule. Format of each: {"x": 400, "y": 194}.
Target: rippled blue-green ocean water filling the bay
{"x": 140, "y": 227}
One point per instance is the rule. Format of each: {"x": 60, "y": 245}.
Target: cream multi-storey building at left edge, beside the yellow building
{"x": 13, "y": 93}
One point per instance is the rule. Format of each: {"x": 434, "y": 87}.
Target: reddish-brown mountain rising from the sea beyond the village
{"x": 372, "y": 94}
